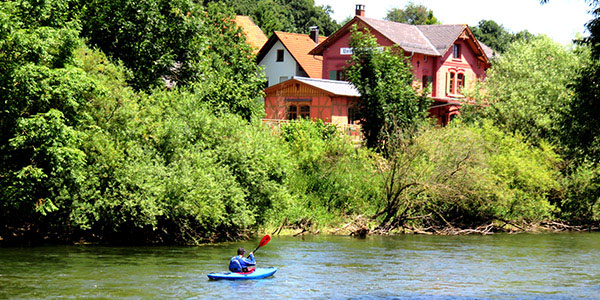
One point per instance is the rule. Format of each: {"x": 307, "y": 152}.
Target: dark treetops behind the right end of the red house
{"x": 497, "y": 37}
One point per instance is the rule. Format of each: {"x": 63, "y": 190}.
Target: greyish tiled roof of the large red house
{"x": 434, "y": 40}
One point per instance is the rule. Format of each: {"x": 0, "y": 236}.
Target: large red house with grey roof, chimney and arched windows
{"x": 448, "y": 57}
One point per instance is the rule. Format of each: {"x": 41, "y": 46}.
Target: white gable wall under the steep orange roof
{"x": 274, "y": 69}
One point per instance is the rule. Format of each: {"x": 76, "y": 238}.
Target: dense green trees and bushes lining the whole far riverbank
{"x": 94, "y": 147}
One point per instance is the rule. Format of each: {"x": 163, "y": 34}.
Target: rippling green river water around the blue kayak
{"x": 523, "y": 266}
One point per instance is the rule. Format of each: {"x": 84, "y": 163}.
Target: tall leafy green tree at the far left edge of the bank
{"x": 42, "y": 93}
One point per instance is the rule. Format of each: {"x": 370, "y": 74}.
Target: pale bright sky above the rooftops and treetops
{"x": 561, "y": 20}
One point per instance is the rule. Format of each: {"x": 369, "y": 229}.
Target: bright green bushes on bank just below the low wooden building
{"x": 331, "y": 176}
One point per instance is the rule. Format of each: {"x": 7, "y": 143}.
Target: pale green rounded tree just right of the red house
{"x": 528, "y": 89}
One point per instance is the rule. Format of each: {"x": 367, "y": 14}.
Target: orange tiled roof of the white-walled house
{"x": 298, "y": 45}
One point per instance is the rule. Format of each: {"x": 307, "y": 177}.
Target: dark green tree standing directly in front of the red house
{"x": 384, "y": 79}
